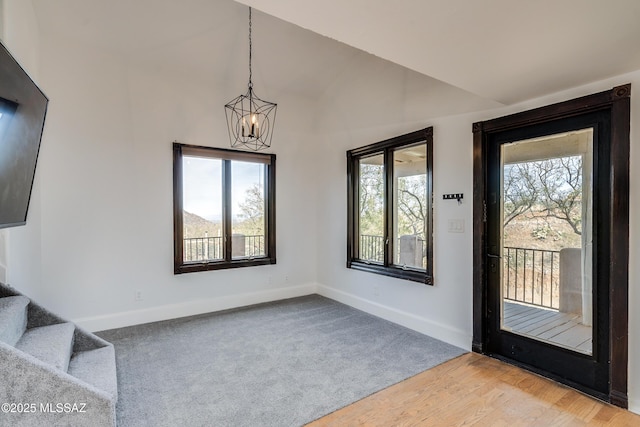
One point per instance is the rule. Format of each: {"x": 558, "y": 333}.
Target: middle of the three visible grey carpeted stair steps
{"x": 51, "y": 344}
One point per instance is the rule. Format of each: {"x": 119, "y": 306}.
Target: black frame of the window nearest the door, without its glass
{"x": 387, "y": 148}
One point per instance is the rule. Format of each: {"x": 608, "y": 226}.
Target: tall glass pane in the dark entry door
{"x": 547, "y": 239}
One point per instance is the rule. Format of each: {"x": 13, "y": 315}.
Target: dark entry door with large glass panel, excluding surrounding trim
{"x": 547, "y": 222}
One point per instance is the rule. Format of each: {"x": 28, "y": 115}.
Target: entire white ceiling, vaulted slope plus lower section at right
{"x": 487, "y": 51}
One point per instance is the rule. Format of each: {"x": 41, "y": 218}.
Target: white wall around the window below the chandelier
{"x": 106, "y": 175}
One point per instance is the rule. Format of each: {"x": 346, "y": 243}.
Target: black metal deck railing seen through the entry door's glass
{"x": 532, "y": 276}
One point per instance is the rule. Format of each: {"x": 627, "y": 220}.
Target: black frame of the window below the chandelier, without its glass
{"x": 226, "y": 155}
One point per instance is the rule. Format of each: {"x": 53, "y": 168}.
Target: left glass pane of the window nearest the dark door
{"x": 371, "y": 209}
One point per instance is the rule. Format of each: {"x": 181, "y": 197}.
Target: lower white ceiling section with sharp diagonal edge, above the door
{"x": 505, "y": 50}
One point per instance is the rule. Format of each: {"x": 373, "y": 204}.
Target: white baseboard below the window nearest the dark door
{"x": 453, "y": 336}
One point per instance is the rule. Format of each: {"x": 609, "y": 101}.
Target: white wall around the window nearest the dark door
{"x": 444, "y": 310}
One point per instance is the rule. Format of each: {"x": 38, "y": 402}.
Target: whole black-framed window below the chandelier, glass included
{"x": 224, "y": 208}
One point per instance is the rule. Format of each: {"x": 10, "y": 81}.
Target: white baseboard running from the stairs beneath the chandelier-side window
{"x": 190, "y": 308}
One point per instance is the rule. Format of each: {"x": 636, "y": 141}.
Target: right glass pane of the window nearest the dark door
{"x": 410, "y": 206}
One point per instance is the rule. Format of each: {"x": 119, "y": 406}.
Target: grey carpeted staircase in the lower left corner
{"x": 52, "y": 372}
